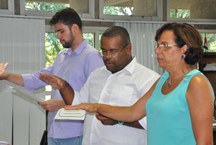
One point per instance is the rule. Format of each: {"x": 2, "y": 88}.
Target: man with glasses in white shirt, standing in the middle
{"x": 121, "y": 82}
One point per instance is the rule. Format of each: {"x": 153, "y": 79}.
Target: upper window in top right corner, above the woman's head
{"x": 191, "y": 9}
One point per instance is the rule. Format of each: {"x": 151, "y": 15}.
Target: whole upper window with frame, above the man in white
{"x": 131, "y": 9}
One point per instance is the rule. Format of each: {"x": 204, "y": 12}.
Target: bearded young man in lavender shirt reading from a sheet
{"x": 73, "y": 64}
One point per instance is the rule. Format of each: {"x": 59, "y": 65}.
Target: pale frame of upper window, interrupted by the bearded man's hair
{"x": 91, "y": 13}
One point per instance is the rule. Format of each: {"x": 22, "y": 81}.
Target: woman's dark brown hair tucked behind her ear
{"x": 185, "y": 34}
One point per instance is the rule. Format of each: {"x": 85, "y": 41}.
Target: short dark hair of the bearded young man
{"x": 67, "y": 16}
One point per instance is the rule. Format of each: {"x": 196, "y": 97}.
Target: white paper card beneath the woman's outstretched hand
{"x": 63, "y": 114}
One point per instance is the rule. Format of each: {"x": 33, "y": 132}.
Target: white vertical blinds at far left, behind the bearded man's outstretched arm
{"x": 22, "y": 46}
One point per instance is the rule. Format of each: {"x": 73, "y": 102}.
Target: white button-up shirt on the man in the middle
{"x": 122, "y": 88}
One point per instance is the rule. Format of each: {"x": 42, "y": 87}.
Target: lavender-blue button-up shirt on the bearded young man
{"x": 74, "y": 67}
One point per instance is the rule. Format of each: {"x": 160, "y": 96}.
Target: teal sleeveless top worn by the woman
{"x": 168, "y": 116}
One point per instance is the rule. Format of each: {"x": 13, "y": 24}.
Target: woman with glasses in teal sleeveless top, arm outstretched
{"x": 179, "y": 106}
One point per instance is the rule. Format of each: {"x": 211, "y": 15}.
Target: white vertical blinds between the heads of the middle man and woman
{"x": 142, "y": 39}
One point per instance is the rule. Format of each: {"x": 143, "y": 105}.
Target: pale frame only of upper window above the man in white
{"x": 133, "y": 18}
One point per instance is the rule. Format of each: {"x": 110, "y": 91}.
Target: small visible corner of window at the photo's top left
{"x": 6, "y": 6}
